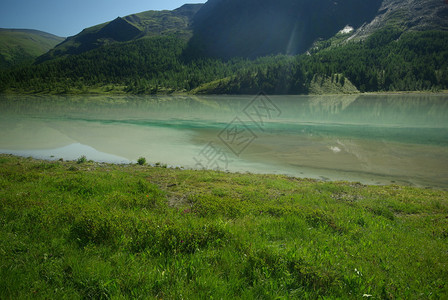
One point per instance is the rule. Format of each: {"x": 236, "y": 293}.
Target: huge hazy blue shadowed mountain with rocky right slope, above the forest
{"x": 254, "y": 28}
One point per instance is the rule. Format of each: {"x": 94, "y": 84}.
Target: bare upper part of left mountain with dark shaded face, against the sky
{"x": 146, "y": 24}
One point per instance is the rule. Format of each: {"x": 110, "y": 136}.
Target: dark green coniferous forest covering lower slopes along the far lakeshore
{"x": 388, "y": 60}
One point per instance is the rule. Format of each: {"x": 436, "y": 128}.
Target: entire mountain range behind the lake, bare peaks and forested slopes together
{"x": 233, "y": 47}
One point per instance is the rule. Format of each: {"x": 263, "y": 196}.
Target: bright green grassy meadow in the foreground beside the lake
{"x": 94, "y": 230}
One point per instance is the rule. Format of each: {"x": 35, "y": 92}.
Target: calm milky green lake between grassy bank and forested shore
{"x": 372, "y": 139}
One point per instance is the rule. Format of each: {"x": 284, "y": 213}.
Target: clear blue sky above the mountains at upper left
{"x": 68, "y": 17}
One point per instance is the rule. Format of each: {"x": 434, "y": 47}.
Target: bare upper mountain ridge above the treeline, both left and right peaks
{"x": 255, "y": 28}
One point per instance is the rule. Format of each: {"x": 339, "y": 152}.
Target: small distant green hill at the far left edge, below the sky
{"x": 21, "y": 45}
